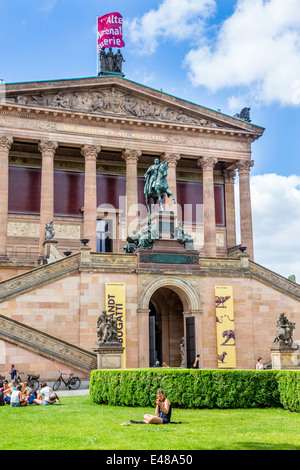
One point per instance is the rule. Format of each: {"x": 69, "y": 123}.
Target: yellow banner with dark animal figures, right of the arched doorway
{"x": 225, "y": 327}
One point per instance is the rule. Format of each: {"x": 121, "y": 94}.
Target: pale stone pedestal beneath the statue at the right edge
{"x": 285, "y": 356}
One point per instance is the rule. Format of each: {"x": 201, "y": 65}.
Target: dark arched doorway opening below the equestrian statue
{"x": 166, "y": 327}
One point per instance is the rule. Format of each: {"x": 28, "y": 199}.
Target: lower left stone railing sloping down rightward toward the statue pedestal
{"x": 45, "y": 345}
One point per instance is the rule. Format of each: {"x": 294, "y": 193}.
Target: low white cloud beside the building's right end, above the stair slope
{"x": 276, "y": 222}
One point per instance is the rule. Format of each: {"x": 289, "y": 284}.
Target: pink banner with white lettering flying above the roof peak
{"x": 109, "y": 31}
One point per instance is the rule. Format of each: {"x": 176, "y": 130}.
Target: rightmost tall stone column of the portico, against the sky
{"x": 243, "y": 167}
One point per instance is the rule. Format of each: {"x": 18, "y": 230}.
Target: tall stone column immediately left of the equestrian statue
{"x": 131, "y": 158}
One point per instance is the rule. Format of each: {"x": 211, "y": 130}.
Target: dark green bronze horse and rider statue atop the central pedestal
{"x": 156, "y": 185}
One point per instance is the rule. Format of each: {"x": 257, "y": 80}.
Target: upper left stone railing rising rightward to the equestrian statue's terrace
{"x": 37, "y": 277}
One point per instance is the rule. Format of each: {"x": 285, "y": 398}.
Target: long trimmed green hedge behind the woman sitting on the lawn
{"x": 188, "y": 388}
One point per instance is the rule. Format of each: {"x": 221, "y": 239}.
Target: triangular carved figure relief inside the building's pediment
{"x": 111, "y": 101}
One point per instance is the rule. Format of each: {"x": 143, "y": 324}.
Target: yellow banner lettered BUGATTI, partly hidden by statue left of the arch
{"x": 115, "y": 306}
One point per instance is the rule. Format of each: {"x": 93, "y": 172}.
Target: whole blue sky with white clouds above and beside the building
{"x": 221, "y": 54}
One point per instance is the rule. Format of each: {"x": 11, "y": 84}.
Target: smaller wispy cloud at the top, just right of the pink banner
{"x": 175, "y": 19}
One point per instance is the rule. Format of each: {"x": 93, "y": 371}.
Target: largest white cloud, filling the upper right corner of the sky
{"x": 258, "y": 47}
